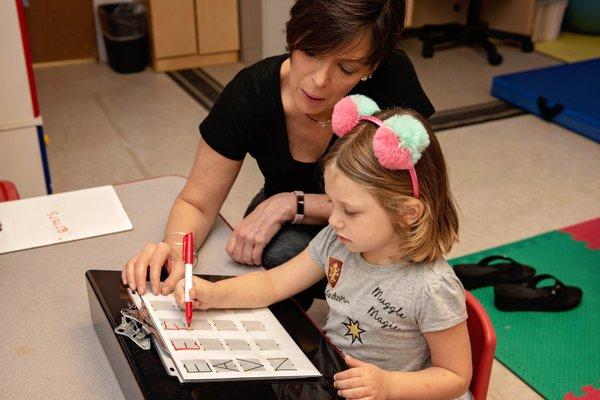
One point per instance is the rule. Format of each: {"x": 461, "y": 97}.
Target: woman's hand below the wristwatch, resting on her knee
{"x": 249, "y": 239}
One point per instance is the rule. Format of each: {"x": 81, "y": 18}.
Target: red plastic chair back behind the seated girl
{"x": 483, "y": 346}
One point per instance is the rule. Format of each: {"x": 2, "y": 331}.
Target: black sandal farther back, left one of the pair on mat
{"x": 483, "y": 273}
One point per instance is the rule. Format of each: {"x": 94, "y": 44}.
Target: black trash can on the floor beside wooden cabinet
{"x": 125, "y": 32}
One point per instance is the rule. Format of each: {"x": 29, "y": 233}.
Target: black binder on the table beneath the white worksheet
{"x": 142, "y": 374}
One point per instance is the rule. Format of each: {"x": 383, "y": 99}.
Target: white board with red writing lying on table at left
{"x": 63, "y": 217}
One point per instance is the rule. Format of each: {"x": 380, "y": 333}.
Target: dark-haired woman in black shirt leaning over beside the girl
{"x": 279, "y": 111}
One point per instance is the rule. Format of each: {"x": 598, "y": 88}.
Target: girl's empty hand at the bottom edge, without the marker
{"x": 362, "y": 380}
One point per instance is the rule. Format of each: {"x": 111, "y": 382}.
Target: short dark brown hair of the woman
{"x": 326, "y": 26}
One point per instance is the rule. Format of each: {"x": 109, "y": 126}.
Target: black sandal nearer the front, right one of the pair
{"x": 528, "y": 297}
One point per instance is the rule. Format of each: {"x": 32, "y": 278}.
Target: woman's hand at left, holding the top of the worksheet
{"x": 154, "y": 256}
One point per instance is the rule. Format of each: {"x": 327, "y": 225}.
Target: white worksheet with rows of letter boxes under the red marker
{"x": 229, "y": 344}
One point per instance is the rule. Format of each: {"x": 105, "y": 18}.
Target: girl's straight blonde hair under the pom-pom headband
{"x": 432, "y": 235}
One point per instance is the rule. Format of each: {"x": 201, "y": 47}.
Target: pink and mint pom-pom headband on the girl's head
{"x": 399, "y": 141}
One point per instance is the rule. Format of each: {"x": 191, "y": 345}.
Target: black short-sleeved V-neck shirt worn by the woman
{"x": 248, "y": 117}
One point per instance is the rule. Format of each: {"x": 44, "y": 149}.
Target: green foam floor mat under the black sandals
{"x": 553, "y": 352}
